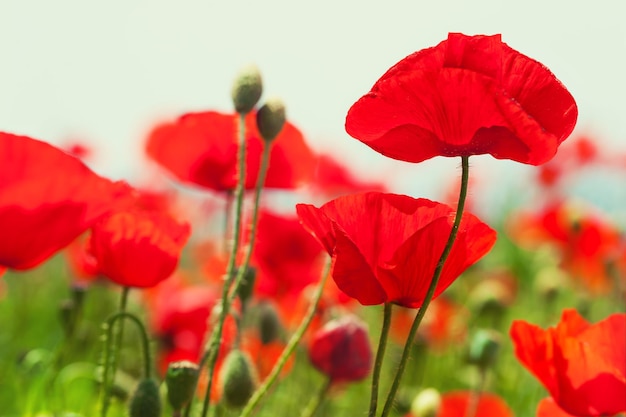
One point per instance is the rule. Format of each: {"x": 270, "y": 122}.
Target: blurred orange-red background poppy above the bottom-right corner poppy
{"x": 587, "y": 243}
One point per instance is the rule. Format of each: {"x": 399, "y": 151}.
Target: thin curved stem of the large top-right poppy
{"x": 431, "y": 289}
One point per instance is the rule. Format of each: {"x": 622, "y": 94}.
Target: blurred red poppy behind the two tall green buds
{"x": 201, "y": 149}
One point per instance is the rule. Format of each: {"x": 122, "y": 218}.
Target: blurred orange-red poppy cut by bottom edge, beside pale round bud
{"x": 454, "y": 404}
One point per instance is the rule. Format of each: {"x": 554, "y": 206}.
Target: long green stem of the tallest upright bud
{"x": 216, "y": 335}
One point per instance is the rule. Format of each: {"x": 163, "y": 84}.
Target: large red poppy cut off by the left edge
{"x": 47, "y": 199}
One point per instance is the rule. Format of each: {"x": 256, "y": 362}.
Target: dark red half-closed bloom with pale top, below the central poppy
{"x": 341, "y": 350}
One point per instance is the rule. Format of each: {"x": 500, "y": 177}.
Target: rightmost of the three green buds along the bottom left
{"x": 237, "y": 379}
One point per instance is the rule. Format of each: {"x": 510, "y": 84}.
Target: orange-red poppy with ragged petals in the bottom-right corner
{"x": 582, "y": 365}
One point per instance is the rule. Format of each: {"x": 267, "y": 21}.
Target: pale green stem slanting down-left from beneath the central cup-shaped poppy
{"x": 293, "y": 342}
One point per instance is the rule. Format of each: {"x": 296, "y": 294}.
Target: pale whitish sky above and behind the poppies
{"x": 105, "y": 71}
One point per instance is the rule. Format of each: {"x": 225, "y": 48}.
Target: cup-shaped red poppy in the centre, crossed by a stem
{"x": 385, "y": 247}
